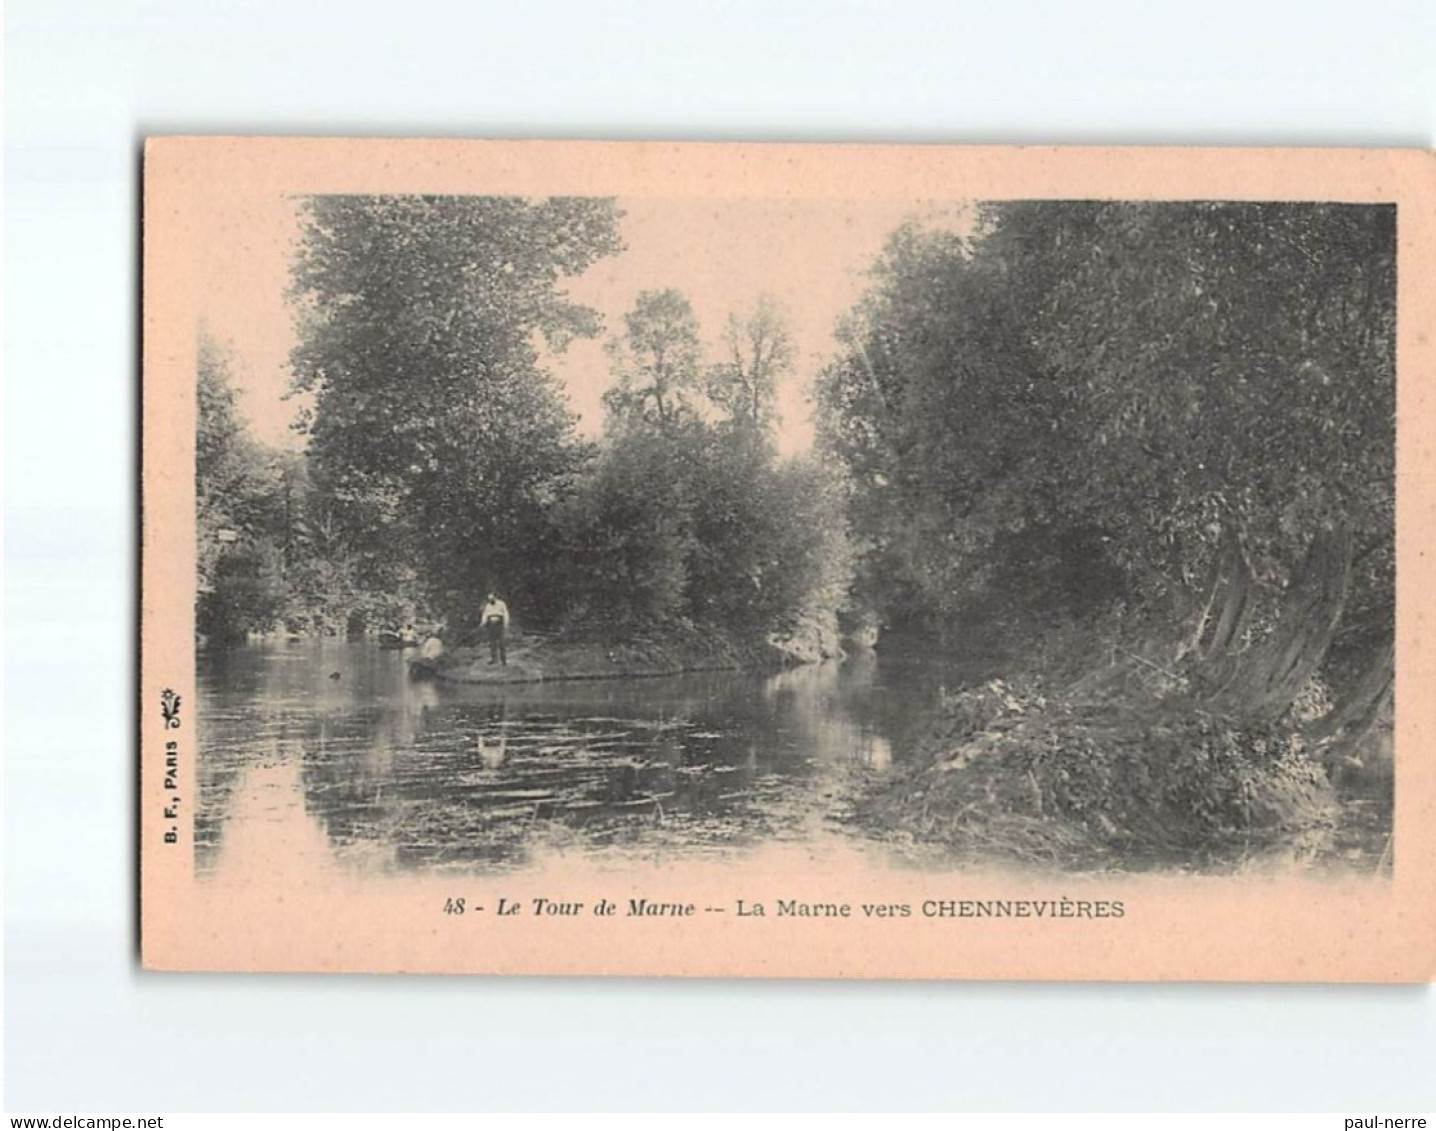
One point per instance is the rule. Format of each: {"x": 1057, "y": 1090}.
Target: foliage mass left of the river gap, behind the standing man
{"x": 443, "y": 460}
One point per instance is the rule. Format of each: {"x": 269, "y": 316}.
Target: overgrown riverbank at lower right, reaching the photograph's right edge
{"x": 1124, "y": 771}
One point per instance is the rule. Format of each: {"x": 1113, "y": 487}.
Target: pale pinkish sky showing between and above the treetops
{"x": 812, "y": 256}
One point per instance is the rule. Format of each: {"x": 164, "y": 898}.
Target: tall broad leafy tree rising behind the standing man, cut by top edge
{"x": 437, "y": 434}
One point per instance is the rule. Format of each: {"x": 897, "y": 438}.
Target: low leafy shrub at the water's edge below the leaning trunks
{"x": 1010, "y": 773}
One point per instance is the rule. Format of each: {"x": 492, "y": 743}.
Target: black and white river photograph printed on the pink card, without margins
{"x": 1052, "y": 535}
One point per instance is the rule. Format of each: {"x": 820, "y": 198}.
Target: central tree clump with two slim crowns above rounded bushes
{"x": 684, "y": 519}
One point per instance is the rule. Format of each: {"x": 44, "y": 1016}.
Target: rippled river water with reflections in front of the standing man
{"x": 328, "y": 751}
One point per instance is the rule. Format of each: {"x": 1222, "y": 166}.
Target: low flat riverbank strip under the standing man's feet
{"x": 674, "y": 651}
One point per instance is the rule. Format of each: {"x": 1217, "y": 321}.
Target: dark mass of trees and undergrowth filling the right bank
{"x": 1171, "y": 430}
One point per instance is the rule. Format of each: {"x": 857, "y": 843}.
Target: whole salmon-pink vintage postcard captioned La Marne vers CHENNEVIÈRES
{"x": 788, "y": 560}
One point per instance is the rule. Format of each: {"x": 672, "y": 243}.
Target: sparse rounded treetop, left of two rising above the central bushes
{"x": 656, "y": 362}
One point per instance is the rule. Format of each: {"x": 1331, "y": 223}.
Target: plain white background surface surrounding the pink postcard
{"x": 85, "y": 1031}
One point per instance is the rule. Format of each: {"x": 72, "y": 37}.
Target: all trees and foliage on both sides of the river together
{"x": 1150, "y": 443}
